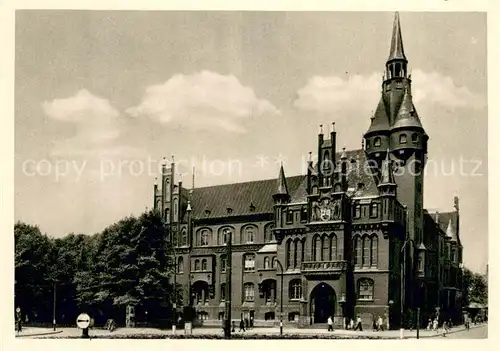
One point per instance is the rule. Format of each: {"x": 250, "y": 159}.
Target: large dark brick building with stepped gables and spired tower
{"x": 339, "y": 231}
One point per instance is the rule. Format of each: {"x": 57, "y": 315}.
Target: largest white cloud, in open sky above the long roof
{"x": 202, "y": 101}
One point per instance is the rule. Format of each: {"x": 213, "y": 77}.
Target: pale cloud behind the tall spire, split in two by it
{"x": 361, "y": 93}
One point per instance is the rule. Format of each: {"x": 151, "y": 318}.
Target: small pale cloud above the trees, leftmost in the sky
{"x": 95, "y": 119}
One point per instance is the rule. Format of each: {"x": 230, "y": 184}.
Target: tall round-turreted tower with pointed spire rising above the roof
{"x": 396, "y": 129}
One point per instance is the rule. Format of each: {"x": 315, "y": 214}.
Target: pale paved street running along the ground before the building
{"x": 478, "y": 332}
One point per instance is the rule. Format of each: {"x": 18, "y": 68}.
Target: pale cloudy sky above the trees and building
{"x": 102, "y": 96}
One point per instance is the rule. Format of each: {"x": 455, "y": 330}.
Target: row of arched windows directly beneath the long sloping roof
{"x": 249, "y": 235}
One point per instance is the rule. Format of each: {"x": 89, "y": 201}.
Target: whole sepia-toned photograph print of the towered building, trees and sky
{"x": 249, "y": 174}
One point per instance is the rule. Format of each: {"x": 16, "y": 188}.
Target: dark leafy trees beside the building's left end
{"x": 128, "y": 263}
